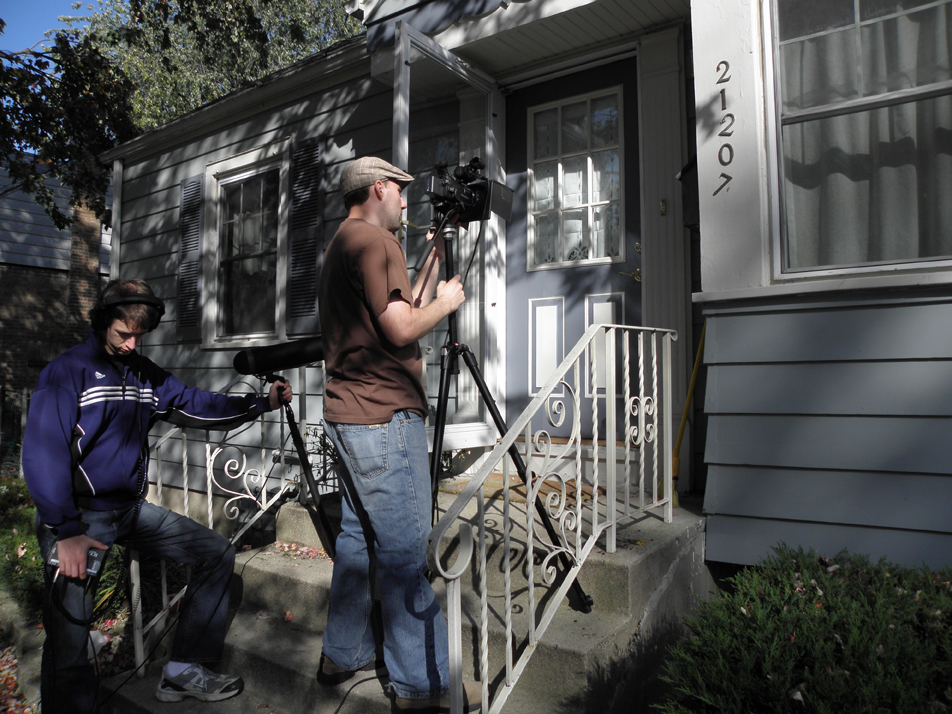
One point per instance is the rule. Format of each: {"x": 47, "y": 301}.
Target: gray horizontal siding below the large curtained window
{"x": 830, "y": 426}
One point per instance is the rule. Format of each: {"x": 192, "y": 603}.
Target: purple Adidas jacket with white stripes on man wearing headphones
{"x": 88, "y": 427}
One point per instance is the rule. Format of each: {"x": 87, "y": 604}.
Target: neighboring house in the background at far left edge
{"x": 49, "y": 278}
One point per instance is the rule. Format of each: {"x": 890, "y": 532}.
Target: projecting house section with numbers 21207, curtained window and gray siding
{"x": 825, "y": 175}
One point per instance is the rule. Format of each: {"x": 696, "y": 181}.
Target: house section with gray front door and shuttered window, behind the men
{"x": 580, "y": 108}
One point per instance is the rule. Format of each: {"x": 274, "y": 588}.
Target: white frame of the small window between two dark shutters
{"x": 248, "y": 163}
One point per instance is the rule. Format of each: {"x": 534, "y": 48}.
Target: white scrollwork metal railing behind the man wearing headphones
{"x": 244, "y": 488}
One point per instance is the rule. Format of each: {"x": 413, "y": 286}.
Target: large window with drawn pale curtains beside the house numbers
{"x": 865, "y": 102}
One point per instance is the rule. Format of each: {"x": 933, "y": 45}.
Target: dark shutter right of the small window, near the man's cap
{"x": 306, "y": 237}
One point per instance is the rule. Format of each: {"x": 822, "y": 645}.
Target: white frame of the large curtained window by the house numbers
{"x": 905, "y": 270}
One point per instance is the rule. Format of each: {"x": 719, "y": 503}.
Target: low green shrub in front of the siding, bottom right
{"x": 804, "y": 633}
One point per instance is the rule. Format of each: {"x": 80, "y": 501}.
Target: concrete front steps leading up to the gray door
{"x": 656, "y": 576}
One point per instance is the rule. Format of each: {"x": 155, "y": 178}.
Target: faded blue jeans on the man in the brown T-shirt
{"x": 385, "y": 484}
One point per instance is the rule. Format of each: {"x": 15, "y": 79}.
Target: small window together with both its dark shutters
{"x": 251, "y": 236}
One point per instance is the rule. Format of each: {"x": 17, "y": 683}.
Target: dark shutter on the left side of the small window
{"x": 190, "y": 260}
